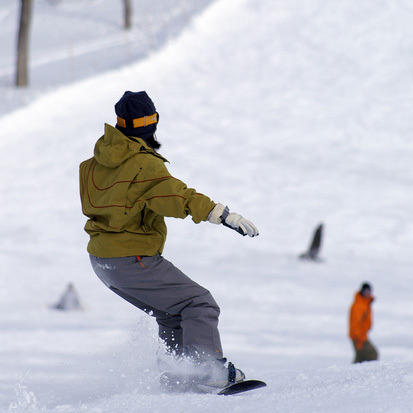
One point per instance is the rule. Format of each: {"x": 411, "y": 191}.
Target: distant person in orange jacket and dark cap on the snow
{"x": 360, "y": 324}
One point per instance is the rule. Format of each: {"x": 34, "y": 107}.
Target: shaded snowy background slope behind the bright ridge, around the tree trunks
{"x": 74, "y": 39}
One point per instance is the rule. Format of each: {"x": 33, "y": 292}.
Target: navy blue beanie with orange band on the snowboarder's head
{"x": 136, "y": 115}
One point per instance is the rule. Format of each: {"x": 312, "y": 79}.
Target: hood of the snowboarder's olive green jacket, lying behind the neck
{"x": 114, "y": 148}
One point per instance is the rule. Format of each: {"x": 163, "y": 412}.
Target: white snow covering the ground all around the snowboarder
{"x": 292, "y": 112}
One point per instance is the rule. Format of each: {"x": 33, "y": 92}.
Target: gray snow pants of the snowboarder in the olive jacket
{"x": 186, "y": 313}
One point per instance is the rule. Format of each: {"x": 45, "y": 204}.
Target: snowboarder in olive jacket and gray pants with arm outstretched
{"x": 126, "y": 191}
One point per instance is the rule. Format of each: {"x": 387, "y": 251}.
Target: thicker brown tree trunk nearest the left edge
{"x": 22, "y": 78}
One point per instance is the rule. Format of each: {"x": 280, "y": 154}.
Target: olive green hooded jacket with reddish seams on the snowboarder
{"x": 126, "y": 191}
